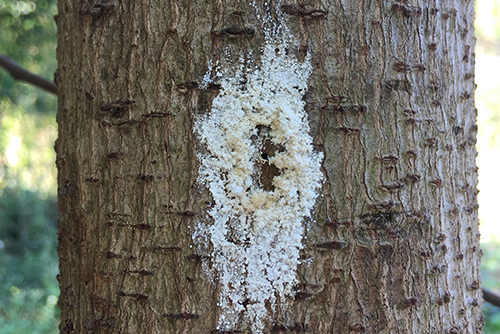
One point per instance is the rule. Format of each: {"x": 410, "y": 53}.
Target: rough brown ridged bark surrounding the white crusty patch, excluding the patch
{"x": 394, "y": 244}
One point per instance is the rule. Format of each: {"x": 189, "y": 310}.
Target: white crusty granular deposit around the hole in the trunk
{"x": 257, "y": 234}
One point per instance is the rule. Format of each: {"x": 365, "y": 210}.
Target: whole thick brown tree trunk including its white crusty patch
{"x": 155, "y": 231}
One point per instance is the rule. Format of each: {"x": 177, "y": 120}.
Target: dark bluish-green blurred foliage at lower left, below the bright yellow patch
{"x": 28, "y": 263}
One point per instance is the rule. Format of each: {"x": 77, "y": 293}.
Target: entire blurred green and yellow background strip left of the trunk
{"x": 28, "y": 210}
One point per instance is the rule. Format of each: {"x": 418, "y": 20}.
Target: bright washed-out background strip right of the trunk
{"x": 487, "y": 30}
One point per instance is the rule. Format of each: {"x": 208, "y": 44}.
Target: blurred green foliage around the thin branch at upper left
{"x": 28, "y": 35}
